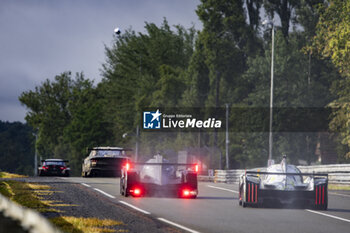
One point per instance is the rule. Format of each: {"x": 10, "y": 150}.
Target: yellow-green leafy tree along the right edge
{"x": 332, "y": 41}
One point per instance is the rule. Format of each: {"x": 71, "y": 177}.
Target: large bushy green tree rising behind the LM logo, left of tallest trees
{"x": 145, "y": 70}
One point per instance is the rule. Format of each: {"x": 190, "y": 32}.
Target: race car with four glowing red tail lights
{"x": 158, "y": 176}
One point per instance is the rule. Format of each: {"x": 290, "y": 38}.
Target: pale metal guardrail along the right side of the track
{"x": 337, "y": 173}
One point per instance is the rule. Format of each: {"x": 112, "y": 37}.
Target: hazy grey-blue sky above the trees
{"x": 42, "y": 38}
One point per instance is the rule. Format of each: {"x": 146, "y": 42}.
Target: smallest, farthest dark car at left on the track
{"x": 54, "y": 167}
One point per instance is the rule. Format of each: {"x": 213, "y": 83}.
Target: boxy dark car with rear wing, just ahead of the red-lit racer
{"x": 104, "y": 161}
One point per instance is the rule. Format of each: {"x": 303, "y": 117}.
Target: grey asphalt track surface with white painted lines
{"x": 216, "y": 209}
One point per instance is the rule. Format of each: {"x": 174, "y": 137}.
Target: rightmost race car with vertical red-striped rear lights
{"x": 283, "y": 184}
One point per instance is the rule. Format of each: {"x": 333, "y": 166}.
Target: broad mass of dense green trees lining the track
{"x": 228, "y": 61}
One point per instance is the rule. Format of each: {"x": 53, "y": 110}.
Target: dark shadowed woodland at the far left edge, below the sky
{"x": 16, "y": 148}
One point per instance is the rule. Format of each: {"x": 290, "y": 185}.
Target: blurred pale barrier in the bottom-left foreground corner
{"x": 26, "y": 219}
